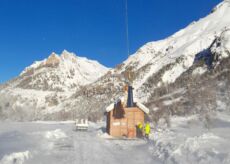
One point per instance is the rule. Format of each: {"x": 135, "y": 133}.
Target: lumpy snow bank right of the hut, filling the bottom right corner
{"x": 186, "y": 141}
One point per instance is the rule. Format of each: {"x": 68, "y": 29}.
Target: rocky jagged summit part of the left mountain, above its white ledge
{"x": 61, "y": 73}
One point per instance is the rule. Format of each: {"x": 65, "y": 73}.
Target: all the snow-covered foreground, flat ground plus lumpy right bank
{"x": 186, "y": 141}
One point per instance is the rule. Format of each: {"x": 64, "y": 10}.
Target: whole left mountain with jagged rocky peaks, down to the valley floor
{"x": 45, "y": 84}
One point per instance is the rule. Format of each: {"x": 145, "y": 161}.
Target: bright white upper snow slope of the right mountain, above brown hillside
{"x": 170, "y": 57}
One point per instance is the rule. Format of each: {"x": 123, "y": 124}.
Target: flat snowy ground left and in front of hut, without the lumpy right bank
{"x": 41, "y": 143}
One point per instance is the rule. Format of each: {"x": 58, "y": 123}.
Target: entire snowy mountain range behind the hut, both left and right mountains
{"x": 163, "y": 74}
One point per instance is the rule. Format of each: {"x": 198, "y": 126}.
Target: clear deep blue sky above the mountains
{"x": 31, "y": 29}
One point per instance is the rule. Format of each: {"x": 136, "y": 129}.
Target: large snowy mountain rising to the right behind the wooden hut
{"x": 161, "y": 71}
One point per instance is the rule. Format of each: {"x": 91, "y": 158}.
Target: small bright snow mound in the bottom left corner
{"x": 16, "y": 158}
